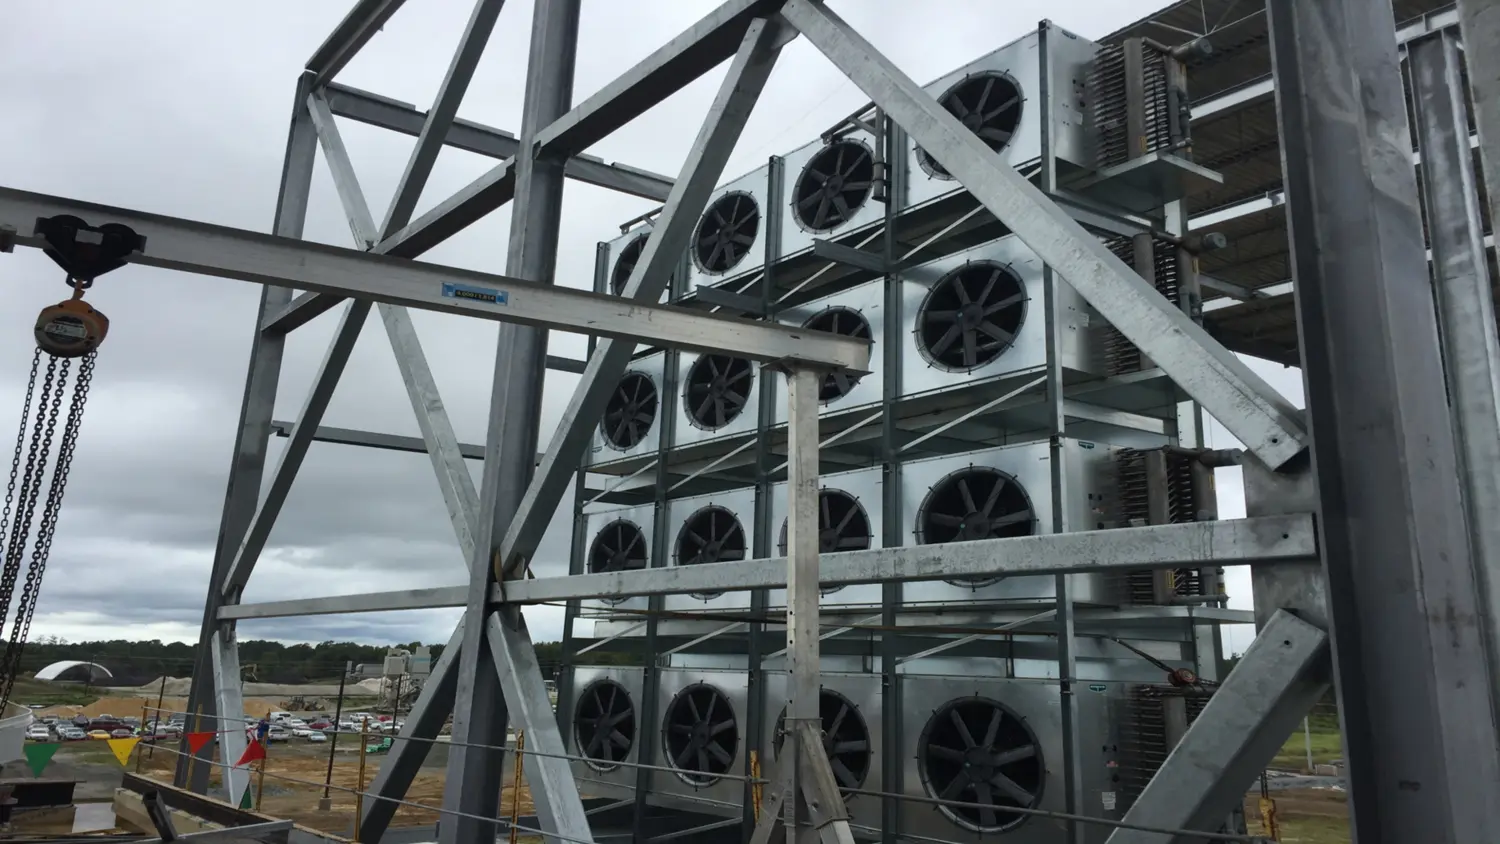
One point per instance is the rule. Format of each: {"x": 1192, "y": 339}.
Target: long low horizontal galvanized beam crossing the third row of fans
{"x": 1234, "y": 542}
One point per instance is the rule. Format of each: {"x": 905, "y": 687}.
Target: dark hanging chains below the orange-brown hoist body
{"x": 17, "y": 516}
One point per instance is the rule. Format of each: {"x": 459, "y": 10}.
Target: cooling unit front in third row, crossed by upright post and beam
{"x": 848, "y": 519}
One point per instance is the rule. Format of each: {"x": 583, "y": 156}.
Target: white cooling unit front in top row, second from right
{"x": 830, "y": 191}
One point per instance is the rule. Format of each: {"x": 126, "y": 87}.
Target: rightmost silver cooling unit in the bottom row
{"x": 998, "y": 744}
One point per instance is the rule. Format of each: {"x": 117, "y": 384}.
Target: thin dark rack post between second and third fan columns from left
{"x": 764, "y": 537}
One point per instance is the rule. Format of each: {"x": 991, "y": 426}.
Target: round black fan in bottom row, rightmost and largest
{"x": 974, "y": 750}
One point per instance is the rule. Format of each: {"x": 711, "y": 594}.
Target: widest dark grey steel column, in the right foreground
{"x": 1414, "y": 681}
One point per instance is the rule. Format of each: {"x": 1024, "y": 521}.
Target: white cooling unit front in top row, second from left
{"x": 730, "y": 238}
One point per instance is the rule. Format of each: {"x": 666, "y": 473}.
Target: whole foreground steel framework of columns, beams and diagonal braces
{"x": 1363, "y": 542}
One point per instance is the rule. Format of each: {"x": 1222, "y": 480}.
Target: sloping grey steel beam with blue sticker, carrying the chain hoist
{"x": 260, "y": 259}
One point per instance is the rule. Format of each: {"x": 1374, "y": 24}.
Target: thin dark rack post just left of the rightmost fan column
{"x": 892, "y": 764}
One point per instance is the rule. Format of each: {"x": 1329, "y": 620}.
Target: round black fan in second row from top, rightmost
{"x": 971, "y": 317}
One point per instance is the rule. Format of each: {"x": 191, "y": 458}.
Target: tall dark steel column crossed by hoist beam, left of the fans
{"x": 481, "y": 710}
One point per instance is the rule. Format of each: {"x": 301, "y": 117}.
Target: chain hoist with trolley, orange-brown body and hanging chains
{"x": 65, "y": 334}
